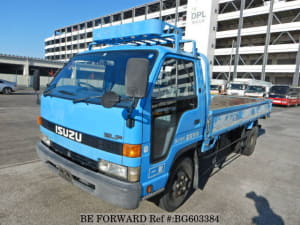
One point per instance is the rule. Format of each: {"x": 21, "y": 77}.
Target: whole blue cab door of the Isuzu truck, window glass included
{"x": 176, "y": 118}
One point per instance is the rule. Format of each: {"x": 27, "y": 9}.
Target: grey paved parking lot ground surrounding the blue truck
{"x": 260, "y": 189}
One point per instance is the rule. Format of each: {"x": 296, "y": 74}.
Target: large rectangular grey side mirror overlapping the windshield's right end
{"x": 136, "y": 78}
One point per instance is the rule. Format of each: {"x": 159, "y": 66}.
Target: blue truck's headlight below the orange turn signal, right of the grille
{"x": 128, "y": 173}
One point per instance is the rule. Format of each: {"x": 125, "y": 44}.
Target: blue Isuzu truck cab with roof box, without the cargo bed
{"x": 115, "y": 112}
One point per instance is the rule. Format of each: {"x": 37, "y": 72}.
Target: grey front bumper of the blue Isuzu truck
{"x": 120, "y": 193}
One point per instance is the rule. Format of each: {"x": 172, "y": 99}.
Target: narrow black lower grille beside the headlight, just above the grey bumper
{"x": 74, "y": 157}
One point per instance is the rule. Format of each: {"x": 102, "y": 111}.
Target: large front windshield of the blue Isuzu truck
{"x": 94, "y": 74}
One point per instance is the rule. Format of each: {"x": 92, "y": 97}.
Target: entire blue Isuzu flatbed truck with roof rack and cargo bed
{"x": 131, "y": 121}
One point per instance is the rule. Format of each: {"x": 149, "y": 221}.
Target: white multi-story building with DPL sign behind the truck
{"x": 242, "y": 38}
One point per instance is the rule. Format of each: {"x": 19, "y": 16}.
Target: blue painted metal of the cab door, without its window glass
{"x": 186, "y": 129}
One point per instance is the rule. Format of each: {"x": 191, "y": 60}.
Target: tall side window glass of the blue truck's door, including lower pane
{"x": 173, "y": 94}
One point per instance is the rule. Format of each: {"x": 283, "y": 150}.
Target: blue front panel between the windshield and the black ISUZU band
{"x": 89, "y": 118}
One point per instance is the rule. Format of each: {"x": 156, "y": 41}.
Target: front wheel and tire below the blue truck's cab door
{"x": 179, "y": 186}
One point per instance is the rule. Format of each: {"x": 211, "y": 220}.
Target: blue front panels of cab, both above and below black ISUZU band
{"x": 93, "y": 120}
